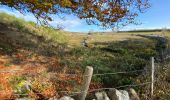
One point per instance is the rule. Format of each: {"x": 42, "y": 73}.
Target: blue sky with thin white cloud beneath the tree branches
{"x": 158, "y": 16}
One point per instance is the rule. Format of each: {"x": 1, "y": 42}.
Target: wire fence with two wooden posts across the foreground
{"x": 86, "y": 76}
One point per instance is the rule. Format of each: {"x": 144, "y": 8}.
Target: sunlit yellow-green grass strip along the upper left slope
{"x": 31, "y": 27}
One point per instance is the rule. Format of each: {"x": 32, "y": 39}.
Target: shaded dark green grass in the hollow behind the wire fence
{"x": 113, "y": 57}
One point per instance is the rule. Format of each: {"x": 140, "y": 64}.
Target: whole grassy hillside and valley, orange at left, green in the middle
{"x": 44, "y": 56}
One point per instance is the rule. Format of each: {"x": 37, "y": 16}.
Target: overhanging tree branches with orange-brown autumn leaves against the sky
{"x": 104, "y": 13}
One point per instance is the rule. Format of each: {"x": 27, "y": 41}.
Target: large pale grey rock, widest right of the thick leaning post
{"x": 118, "y": 95}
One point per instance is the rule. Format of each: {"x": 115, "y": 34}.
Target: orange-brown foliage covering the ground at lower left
{"x": 35, "y": 68}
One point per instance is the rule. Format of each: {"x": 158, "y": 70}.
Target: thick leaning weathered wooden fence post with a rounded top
{"x": 86, "y": 82}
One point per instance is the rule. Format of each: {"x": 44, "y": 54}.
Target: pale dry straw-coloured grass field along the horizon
{"x": 75, "y": 39}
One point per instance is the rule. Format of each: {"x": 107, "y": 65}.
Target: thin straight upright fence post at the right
{"x": 152, "y": 77}
